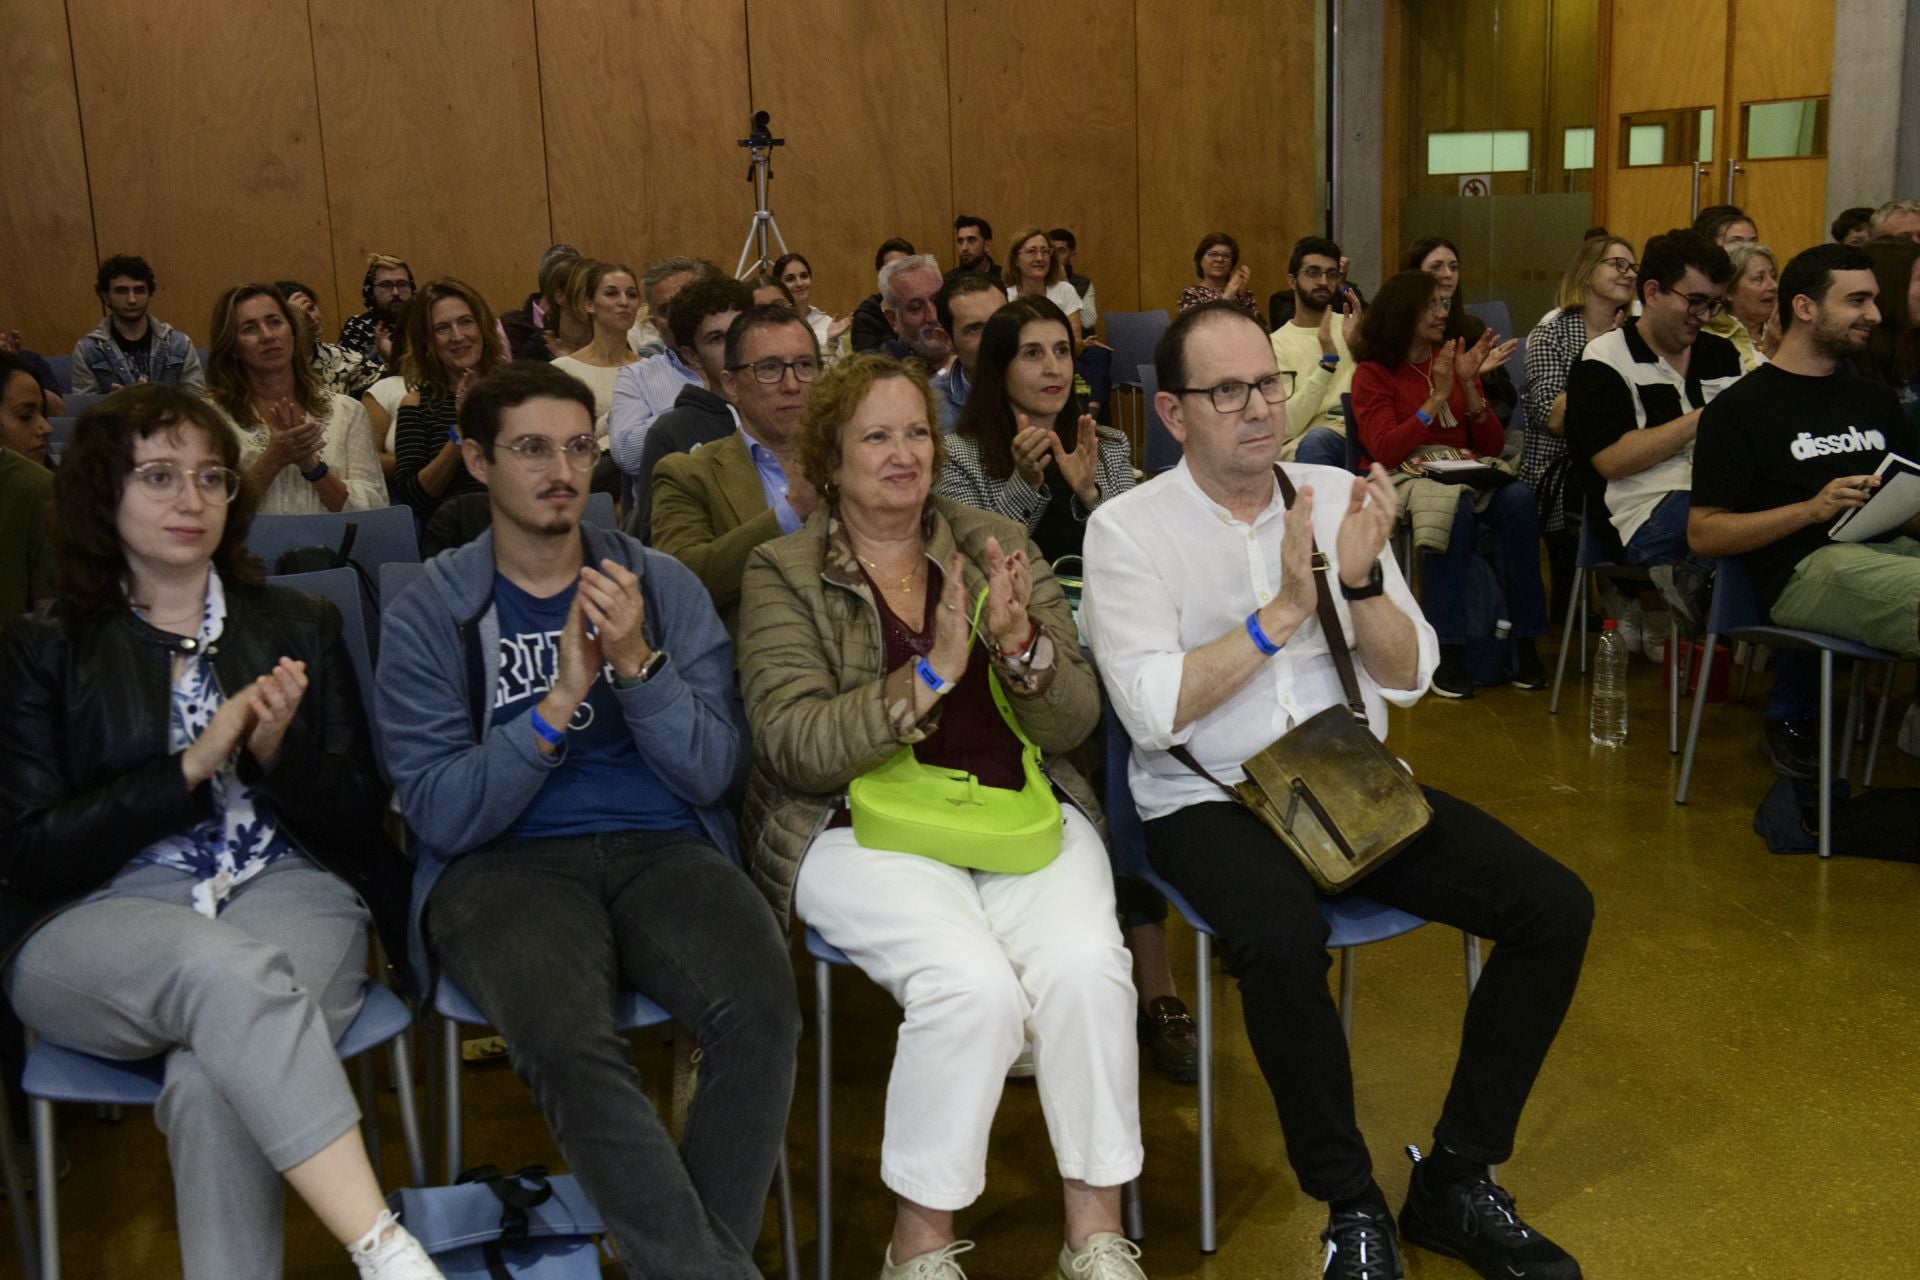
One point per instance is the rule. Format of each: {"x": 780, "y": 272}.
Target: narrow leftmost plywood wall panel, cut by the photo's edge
{"x": 47, "y": 275}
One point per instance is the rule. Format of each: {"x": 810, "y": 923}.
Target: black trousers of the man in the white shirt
{"x": 1466, "y": 870}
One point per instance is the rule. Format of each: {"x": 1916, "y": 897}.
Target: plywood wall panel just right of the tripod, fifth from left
{"x": 859, "y": 89}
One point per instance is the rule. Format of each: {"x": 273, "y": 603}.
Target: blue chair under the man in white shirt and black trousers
{"x": 1353, "y": 922}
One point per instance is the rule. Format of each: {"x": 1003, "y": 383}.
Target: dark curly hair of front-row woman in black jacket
{"x": 89, "y": 559}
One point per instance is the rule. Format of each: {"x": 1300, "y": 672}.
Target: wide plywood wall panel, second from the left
{"x": 204, "y": 162}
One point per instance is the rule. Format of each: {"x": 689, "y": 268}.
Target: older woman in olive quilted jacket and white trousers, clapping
{"x": 863, "y": 644}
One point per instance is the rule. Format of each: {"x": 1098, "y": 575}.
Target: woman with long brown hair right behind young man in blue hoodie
{"x": 450, "y": 348}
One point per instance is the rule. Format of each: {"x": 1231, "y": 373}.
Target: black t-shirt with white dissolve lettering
{"x": 1779, "y": 439}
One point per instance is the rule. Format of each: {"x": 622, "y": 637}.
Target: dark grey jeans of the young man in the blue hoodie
{"x": 542, "y": 934}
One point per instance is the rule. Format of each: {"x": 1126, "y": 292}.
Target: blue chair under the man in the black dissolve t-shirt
{"x": 1737, "y": 615}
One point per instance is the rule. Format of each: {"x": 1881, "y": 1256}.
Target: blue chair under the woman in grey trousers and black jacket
{"x": 57, "y": 1074}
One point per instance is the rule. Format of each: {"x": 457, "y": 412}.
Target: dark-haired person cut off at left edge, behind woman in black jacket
{"x": 26, "y": 494}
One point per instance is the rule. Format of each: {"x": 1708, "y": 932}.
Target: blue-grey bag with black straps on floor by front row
{"x": 506, "y": 1227}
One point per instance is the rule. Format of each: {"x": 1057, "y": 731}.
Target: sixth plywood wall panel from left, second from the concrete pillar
{"x": 1026, "y": 147}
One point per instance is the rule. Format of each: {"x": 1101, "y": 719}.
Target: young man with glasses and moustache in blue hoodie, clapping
{"x": 569, "y": 803}
